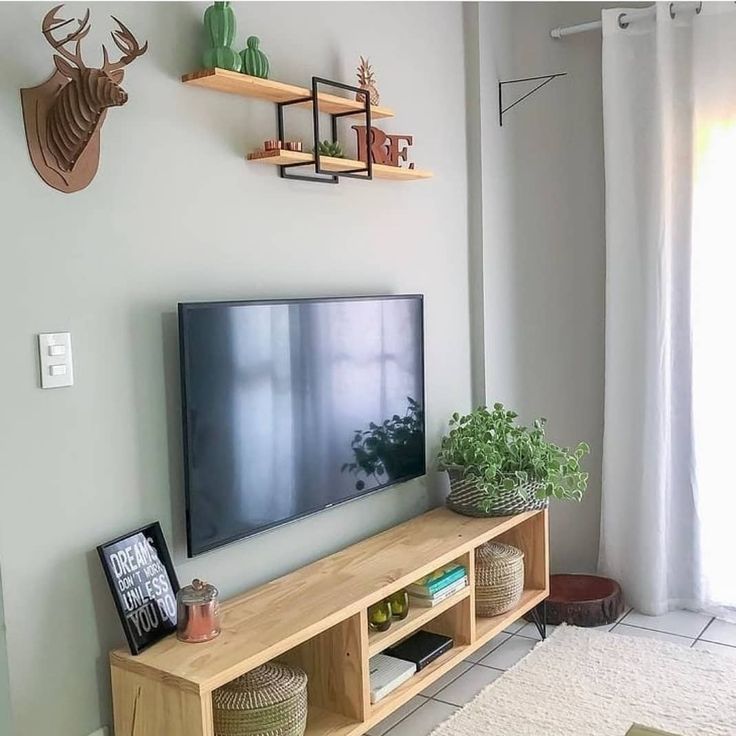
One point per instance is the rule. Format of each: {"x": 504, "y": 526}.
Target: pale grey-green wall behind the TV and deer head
{"x": 176, "y": 214}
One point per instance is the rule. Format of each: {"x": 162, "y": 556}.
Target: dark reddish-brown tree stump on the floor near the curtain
{"x": 583, "y": 600}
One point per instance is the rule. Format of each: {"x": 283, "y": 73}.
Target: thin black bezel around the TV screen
{"x": 183, "y": 309}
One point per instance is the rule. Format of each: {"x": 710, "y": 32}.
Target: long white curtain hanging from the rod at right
{"x": 669, "y": 487}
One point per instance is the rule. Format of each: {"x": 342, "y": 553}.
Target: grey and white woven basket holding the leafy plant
{"x": 466, "y": 495}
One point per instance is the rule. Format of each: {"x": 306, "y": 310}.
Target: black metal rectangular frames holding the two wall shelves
{"x": 321, "y": 176}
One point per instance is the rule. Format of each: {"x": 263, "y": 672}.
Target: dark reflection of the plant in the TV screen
{"x": 391, "y": 450}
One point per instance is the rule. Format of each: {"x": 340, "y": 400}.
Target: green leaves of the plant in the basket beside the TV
{"x": 490, "y": 446}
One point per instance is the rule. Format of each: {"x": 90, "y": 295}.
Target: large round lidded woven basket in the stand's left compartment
{"x": 269, "y": 701}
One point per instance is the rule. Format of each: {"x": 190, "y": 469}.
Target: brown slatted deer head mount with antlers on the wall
{"x": 64, "y": 115}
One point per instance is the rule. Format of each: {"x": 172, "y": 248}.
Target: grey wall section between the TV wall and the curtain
{"x": 543, "y": 246}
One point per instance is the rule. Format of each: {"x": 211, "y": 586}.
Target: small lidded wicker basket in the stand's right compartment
{"x": 499, "y": 578}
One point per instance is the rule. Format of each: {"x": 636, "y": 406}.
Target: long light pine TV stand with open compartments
{"x": 316, "y": 617}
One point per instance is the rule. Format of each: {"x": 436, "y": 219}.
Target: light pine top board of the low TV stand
{"x": 265, "y": 622}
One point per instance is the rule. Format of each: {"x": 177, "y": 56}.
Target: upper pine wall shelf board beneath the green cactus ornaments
{"x": 236, "y": 83}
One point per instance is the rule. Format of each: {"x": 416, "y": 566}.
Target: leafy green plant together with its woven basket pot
{"x": 497, "y": 467}
